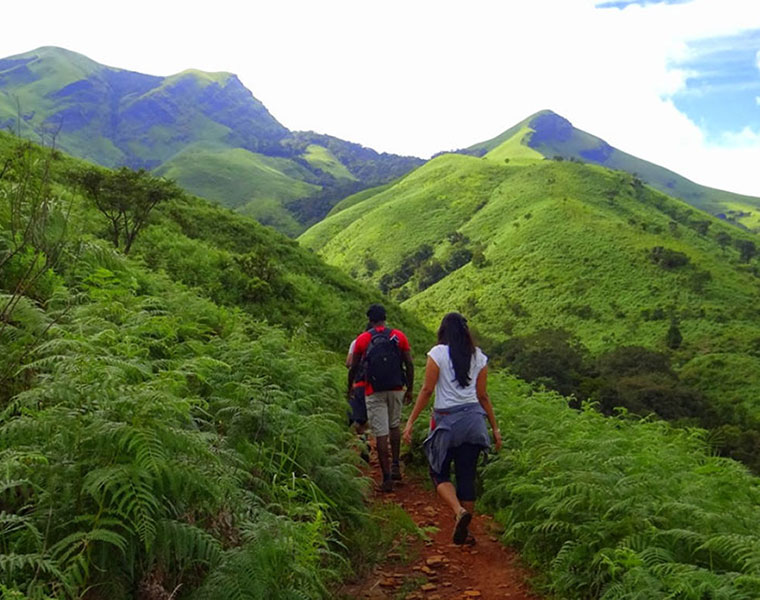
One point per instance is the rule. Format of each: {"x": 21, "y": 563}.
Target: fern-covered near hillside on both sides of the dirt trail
{"x": 171, "y": 426}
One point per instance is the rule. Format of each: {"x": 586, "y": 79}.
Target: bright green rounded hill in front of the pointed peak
{"x": 534, "y": 245}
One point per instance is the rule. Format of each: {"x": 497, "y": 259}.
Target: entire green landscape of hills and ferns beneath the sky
{"x": 172, "y": 388}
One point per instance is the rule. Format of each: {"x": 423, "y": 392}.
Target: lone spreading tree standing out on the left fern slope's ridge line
{"x": 126, "y": 198}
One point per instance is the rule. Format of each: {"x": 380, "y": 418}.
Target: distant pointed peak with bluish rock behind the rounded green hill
{"x": 549, "y": 135}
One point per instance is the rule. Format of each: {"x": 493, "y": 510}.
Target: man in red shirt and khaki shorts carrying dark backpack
{"x": 385, "y": 356}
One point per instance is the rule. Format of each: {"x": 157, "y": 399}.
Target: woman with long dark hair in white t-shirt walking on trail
{"x": 456, "y": 370}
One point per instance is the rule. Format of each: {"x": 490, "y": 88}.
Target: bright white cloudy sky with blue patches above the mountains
{"x": 675, "y": 82}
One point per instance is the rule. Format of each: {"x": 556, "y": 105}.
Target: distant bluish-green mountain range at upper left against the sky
{"x": 205, "y": 130}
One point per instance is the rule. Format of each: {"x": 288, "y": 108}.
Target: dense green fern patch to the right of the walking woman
{"x": 620, "y": 509}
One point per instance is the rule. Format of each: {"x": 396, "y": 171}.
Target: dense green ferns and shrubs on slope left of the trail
{"x": 171, "y": 422}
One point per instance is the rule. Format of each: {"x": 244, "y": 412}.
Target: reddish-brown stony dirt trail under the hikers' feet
{"x": 441, "y": 570}
